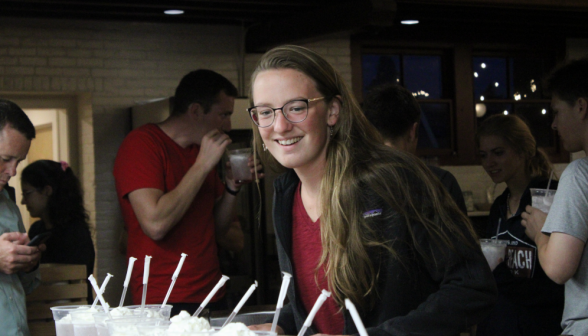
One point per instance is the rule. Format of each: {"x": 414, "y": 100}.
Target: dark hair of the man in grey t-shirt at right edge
{"x": 569, "y": 81}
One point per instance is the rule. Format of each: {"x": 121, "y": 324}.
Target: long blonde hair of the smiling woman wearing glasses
{"x": 357, "y": 161}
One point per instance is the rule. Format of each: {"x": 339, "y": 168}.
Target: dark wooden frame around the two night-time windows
{"x": 458, "y": 86}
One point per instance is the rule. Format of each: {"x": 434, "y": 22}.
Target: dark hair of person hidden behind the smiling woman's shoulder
{"x": 392, "y": 109}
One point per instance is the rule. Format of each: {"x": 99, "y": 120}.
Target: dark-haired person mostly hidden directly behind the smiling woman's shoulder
{"x": 396, "y": 114}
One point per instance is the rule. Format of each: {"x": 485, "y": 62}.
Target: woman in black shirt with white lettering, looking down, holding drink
{"x": 529, "y": 303}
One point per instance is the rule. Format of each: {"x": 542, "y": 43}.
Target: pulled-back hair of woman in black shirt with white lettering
{"x": 517, "y": 134}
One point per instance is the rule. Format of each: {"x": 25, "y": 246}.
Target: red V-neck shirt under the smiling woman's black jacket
{"x": 306, "y": 253}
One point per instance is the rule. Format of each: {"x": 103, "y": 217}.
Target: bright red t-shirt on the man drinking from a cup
{"x": 148, "y": 158}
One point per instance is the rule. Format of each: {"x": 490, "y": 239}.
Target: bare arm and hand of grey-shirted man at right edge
{"x": 559, "y": 254}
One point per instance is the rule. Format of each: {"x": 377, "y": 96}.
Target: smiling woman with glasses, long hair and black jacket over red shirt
{"x": 357, "y": 218}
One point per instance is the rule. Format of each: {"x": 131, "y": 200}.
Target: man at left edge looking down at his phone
{"x": 18, "y": 262}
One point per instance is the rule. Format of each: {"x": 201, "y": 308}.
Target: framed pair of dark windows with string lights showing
{"x": 458, "y": 86}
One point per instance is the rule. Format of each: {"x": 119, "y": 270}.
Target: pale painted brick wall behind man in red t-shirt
{"x": 114, "y": 66}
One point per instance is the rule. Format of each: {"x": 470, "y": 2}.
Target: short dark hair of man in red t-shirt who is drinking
{"x": 202, "y": 87}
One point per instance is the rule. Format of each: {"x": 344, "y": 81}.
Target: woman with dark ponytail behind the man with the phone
{"x": 52, "y": 192}
